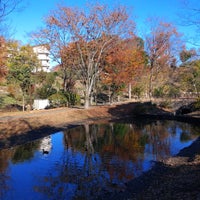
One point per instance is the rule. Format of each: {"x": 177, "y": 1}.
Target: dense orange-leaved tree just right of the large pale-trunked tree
{"x": 123, "y": 64}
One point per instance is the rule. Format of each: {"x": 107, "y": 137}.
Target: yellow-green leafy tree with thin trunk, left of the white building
{"x": 21, "y": 63}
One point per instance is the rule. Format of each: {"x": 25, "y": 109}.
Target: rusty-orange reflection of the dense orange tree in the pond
{"x": 122, "y": 147}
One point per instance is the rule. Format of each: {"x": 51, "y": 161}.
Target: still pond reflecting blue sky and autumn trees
{"x": 90, "y": 160}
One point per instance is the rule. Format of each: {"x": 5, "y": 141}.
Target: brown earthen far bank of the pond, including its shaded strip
{"x": 19, "y": 127}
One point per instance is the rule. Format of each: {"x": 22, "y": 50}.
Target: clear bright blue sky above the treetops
{"x": 31, "y": 17}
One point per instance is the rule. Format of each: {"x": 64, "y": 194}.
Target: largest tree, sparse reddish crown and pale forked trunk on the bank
{"x": 93, "y": 32}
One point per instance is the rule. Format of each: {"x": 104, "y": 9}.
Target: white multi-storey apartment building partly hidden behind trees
{"x": 43, "y": 56}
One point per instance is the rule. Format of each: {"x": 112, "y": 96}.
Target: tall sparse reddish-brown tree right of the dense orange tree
{"x": 162, "y": 46}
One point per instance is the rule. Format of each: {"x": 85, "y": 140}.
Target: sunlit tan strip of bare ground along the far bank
{"x": 21, "y": 122}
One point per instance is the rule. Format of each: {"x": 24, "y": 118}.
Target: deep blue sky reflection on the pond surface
{"x": 69, "y": 171}
